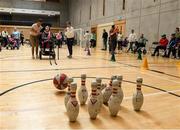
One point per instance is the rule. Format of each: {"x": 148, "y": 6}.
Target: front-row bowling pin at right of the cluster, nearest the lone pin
{"x": 114, "y": 101}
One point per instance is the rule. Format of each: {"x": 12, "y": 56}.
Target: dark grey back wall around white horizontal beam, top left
{"x": 62, "y": 6}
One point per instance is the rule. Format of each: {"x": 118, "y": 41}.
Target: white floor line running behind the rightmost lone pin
{"x": 154, "y": 94}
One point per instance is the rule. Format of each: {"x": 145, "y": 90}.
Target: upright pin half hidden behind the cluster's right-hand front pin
{"x": 120, "y": 91}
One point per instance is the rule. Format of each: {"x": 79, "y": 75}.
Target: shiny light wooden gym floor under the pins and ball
{"x": 29, "y": 101}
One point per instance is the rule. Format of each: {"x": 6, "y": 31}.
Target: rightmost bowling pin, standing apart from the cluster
{"x": 138, "y": 96}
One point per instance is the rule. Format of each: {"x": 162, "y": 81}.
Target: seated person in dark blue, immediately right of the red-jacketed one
{"x": 171, "y": 47}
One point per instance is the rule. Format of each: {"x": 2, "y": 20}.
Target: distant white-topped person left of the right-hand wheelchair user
{"x": 132, "y": 40}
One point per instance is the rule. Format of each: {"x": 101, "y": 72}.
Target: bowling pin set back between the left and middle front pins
{"x": 82, "y": 92}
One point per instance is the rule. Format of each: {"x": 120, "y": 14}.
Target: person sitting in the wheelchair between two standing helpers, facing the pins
{"x": 47, "y": 38}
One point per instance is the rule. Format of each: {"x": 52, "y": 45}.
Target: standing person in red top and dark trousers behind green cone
{"x": 113, "y": 38}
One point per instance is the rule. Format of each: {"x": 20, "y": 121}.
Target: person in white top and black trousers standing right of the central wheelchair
{"x": 69, "y": 32}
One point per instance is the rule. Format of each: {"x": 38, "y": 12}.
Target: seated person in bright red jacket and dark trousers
{"x": 162, "y": 45}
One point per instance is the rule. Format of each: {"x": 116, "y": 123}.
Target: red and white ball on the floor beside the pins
{"x": 60, "y": 81}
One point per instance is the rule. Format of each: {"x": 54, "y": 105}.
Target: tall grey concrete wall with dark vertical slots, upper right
{"x": 151, "y": 17}
